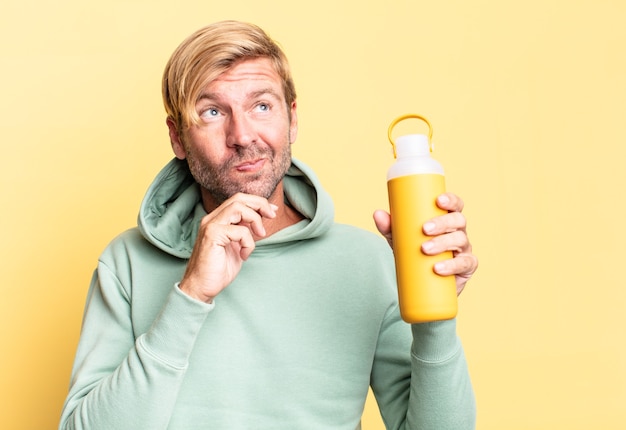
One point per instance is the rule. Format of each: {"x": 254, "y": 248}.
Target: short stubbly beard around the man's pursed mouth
{"x": 219, "y": 181}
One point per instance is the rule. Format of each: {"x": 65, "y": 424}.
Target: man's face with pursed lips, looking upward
{"x": 242, "y": 143}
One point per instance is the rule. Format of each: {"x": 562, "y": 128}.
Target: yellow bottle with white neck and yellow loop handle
{"x": 413, "y": 182}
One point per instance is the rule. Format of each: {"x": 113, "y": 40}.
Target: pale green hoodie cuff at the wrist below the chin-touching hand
{"x": 173, "y": 333}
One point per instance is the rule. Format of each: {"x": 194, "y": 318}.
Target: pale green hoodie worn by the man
{"x": 294, "y": 342}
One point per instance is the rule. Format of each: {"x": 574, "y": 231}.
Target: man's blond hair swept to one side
{"x": 208, "y": 53}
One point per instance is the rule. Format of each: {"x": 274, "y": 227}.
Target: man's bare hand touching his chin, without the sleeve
{"x": 226, "y": 238}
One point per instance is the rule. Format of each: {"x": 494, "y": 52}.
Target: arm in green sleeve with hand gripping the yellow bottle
{"x": 436, "y": 393}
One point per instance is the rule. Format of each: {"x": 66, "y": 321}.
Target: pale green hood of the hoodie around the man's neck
{"x": 172, "y": 208}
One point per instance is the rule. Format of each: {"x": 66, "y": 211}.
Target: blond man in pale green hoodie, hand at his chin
{"x": 238, "y": 303}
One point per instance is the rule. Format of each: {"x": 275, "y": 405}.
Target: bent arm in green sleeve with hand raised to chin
{"x": 122, "y": 382}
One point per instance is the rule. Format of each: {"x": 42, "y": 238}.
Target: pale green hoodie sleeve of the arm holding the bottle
{"x": 429, "y": 389}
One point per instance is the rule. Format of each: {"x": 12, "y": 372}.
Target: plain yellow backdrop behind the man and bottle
{"x": 528, "y": 104}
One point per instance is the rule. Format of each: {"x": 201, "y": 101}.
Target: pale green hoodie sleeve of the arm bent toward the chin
{"x": 125, "y": 383}
